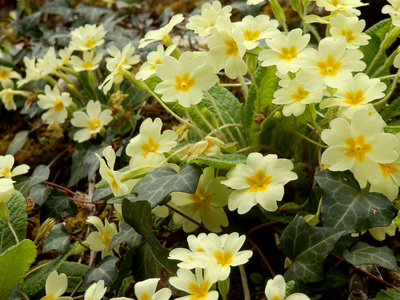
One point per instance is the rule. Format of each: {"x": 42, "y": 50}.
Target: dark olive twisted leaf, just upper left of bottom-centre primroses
{"x": 138, "y": 215}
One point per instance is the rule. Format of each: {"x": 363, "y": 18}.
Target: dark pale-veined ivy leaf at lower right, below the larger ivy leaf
{"x": 308, "y": 248}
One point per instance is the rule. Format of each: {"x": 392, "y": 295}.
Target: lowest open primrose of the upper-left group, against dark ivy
{"x": 91, "y": 122}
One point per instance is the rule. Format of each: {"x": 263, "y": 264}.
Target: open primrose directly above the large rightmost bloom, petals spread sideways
{"x": 356, "y": 94}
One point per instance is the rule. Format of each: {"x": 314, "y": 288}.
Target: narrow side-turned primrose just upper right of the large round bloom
{"x": 226, "y": 49}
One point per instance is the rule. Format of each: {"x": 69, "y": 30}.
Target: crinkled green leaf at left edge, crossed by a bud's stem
{"x": 18, "y": 219}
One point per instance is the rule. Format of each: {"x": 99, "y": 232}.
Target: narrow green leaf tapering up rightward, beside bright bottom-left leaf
{"x": 34, "y": 284}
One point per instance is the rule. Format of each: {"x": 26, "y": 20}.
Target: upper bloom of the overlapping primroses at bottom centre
{"x": 223, "y": 251}
